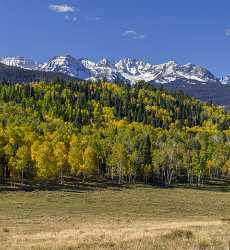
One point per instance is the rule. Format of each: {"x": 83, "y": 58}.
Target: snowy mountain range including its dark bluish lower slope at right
{"x": 192, "y": 79}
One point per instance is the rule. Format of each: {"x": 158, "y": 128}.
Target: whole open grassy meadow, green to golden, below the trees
{"x": 136, "y": 217}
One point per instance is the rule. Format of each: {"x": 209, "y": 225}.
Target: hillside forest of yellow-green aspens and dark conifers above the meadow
{"x": 123, "y": 133}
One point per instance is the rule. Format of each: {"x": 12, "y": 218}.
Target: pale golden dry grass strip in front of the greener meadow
{"x": 138, "y": 235}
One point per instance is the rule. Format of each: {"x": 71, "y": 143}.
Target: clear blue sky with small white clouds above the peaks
{"x": 196, "y": 31}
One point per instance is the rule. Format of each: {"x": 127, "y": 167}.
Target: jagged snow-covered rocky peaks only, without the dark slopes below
{"x": 125, "y": 70}
